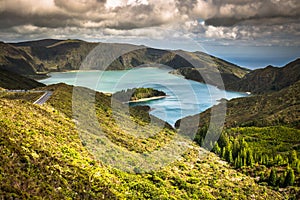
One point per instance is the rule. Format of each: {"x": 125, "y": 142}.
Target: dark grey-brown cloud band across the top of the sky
{"x": 61, "y": 13}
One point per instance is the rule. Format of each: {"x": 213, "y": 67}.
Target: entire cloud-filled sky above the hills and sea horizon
{"x": 273, "y": 21}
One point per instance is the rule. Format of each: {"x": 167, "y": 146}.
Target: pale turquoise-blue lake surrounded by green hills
{"x": 185, "y": 97}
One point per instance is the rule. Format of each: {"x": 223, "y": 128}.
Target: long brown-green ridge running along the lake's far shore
{"x": 41, "y": 56}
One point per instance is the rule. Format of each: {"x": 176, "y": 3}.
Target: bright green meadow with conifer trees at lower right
{"x": 270, "y": 154}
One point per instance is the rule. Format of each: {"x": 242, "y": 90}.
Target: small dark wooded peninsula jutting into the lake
{"x": 137, "y": 94}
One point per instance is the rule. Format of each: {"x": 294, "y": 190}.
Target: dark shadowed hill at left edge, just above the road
{"x": 11, "y": 80}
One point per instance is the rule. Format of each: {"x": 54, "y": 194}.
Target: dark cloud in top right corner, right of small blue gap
{"x": 232, "y": 12}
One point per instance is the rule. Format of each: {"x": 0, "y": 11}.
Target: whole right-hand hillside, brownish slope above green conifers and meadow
{"x": 260, "y": 137}
